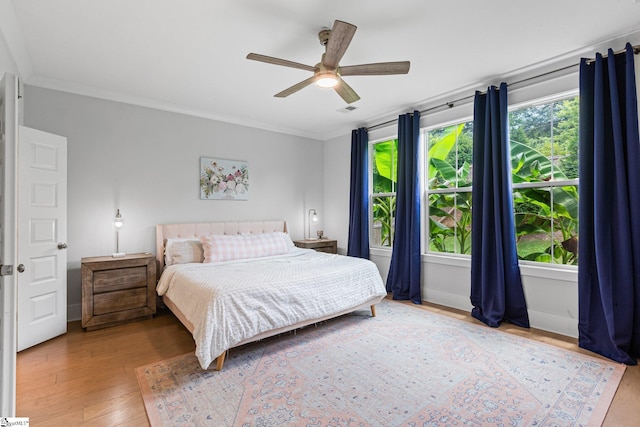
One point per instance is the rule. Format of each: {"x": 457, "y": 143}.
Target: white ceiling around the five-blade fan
{"x": 189, "y": 56}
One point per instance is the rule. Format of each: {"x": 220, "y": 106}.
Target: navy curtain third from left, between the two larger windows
{"x": 496, "y": 284}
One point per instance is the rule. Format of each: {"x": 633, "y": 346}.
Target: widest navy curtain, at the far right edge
{"x": 609, "y": 243}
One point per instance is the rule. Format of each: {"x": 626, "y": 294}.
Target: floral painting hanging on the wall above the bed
{"x": 223, "y": 179}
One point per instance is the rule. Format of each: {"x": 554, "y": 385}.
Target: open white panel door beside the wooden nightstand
{"x": 42, "y": 234}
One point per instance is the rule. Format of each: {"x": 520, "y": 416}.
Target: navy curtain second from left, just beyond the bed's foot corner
{"x": 403, "y": 280}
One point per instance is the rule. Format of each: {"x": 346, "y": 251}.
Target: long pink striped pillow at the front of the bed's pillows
{"x": 227, "y": 247}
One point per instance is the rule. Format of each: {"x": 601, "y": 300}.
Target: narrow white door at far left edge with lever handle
{"x": 8, "y": 129}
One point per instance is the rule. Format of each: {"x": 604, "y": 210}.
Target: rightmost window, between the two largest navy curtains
{"x": 544, "y": 158}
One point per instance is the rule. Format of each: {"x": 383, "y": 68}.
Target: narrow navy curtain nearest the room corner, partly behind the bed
{"x": 358, "y": 244}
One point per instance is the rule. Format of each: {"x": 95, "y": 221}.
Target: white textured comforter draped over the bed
{"x": 229, "y": 302}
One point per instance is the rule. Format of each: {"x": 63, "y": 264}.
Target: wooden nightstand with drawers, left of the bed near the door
{"x": 117, "y": 290}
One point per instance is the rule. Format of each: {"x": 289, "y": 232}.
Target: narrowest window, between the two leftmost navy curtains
{"x": 384, "y": 163}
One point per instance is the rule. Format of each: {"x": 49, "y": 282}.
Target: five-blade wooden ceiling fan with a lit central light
{"x": 328, "y": 72}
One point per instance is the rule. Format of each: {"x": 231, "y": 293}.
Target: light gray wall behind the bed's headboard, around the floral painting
{"x": 146, "y": 163}
